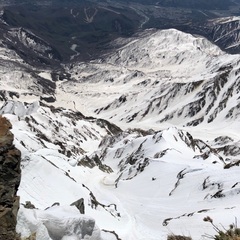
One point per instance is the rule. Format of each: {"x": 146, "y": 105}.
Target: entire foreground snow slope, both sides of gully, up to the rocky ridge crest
{"x": 139, "y": 184}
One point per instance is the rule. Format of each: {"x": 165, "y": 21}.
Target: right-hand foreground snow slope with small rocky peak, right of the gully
{"x": 172, "y": 181}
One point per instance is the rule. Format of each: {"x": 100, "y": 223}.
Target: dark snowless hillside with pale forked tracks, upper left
{"x": 68, "y": 31}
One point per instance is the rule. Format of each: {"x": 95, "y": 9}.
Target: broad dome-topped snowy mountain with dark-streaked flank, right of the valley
{"x": 163, "y": 76}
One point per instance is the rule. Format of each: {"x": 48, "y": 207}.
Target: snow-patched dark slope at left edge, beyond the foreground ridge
{"x": 19, "y": 80}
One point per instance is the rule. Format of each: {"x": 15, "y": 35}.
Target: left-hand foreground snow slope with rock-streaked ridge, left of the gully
{"x": 52, "y": 142}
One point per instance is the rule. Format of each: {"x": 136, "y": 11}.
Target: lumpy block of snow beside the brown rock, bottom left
{"x": 57, "y": 223}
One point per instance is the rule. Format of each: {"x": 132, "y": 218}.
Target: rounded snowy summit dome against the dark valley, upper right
{"x": 165, "y": 49}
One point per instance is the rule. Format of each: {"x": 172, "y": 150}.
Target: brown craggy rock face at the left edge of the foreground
{"x": 10, "y": 175}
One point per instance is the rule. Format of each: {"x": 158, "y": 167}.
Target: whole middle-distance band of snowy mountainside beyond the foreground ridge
{"x": 176, "y": 78}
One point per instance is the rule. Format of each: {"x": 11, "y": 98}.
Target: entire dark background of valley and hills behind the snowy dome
{"x": 45, "y": 33}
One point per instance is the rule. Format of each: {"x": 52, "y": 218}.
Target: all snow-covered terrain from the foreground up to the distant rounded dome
{"x": 147, "y": 138}
